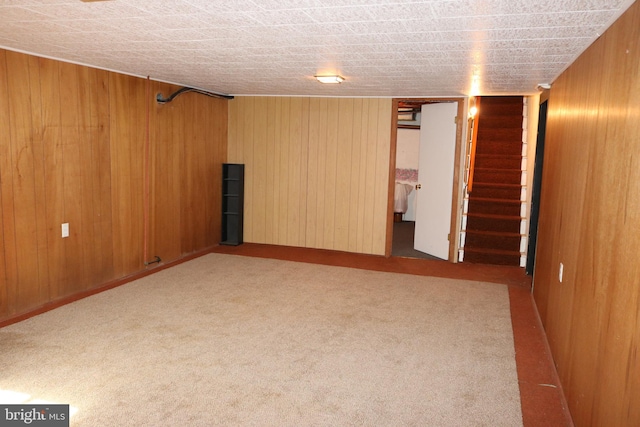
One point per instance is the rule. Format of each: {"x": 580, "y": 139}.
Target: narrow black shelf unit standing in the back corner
{"x": 232, "y": 203}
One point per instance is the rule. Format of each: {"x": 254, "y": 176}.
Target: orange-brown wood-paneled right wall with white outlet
{"x": 590, "y": 222}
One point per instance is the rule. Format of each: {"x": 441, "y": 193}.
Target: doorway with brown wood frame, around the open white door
{"x": 401, "y": 228}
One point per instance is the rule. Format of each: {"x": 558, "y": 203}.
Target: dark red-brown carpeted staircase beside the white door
{"x": 494, "y": 210}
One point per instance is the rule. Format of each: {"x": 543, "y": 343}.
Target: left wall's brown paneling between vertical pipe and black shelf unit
{"x": 188, "y": 147}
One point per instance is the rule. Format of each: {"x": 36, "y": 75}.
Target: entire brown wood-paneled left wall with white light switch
{"x": 73, "y": 150}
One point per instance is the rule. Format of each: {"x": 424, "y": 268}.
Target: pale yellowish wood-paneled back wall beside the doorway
{"x": 317, "y": 170}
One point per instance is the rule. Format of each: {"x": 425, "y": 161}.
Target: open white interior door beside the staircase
{"x": 435, "y": 177}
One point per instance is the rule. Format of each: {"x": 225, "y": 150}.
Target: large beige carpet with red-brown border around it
{"x": 238, "y": 341}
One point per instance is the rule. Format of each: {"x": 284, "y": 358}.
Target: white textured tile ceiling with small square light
{"x": 274, "y": 47}
